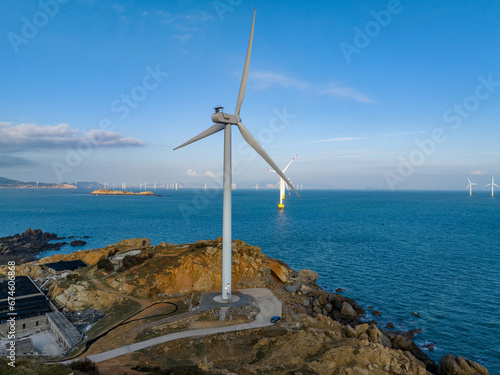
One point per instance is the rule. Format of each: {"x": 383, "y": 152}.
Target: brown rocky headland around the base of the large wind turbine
{"x": 320, "y": 332}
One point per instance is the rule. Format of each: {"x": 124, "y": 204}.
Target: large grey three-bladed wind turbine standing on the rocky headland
{"x": 224, "y": 121}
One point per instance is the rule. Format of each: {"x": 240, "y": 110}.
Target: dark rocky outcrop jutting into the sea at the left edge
{"x": 26, "y": 246}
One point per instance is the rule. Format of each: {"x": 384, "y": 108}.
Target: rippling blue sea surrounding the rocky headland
{"x": 435, "y": 253}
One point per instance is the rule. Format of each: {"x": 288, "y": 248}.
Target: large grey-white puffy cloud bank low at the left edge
{"x": 29, "y": 137}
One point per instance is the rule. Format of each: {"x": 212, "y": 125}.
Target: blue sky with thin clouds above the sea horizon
{"x": 369, "y": 94}
